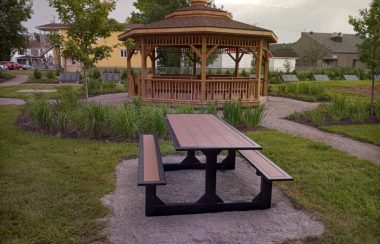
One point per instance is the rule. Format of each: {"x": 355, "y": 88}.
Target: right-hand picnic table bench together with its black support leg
{"x": 268, "y": 171}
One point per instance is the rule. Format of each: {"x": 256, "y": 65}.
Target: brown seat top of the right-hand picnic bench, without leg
{"x": 269, "y": 169}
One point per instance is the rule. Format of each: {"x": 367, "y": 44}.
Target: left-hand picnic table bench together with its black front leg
{"x": 150, "y": 171}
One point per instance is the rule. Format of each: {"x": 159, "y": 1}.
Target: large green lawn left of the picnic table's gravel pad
{"x": 51, "y": 188}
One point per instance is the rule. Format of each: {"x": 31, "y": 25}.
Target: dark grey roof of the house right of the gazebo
{"x": 347, "y": 45}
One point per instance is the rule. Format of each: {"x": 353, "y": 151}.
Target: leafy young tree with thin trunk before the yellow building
{"x": 87, "y": 21}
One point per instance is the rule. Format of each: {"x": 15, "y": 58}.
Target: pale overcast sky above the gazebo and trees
{"x": 287, "y": 18}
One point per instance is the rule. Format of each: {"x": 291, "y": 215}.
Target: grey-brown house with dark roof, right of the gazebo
{"x": 328, "y": 50}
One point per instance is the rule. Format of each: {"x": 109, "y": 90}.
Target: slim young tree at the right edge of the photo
{"x": 367, "y": 27}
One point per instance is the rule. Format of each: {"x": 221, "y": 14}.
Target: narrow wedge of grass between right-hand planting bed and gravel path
{"x": 367, "y": 133}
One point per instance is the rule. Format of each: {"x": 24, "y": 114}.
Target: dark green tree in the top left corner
{"x": 13, "y": 36}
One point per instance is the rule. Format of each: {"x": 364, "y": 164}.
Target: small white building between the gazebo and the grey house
{"x": 284, "y": 61}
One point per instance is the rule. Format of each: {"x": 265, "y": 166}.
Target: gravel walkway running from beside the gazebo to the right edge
{"x": 278, "y": 108}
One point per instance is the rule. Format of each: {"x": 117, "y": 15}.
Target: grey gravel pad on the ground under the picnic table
{"x": 128, "y": 223}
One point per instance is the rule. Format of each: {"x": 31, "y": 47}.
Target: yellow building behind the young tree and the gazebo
{"x": 117, "y": 60}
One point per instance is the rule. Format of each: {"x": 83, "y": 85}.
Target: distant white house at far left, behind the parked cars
{"x": 38, "y": 53}
